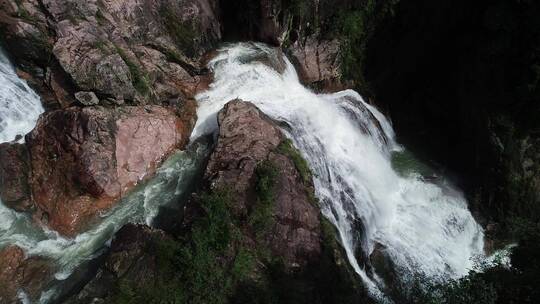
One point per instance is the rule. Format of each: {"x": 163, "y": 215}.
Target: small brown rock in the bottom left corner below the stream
{"x": 19, "y": 273}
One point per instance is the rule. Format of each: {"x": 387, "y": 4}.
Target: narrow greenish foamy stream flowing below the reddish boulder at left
{"x": 140, "y": 206}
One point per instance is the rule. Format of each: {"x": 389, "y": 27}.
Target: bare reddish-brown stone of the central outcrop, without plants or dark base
{"x": 247, "y": 137}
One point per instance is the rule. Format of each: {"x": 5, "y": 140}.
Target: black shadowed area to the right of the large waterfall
{"x": 458, "y": 79}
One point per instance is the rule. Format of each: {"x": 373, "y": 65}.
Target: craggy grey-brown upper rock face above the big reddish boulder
{"x": 140, "y": 51}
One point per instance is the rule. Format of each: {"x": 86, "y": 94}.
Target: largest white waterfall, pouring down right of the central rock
{"x": 425, "y": 228}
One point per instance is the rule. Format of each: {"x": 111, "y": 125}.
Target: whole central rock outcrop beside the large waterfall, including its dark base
{"x": 272, "y": 201}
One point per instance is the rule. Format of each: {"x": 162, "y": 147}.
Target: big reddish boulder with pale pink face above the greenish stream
{"x": 81, "y": 161}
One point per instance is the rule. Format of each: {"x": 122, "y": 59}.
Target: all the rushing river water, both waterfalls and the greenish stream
{"x": 368, "y": 185}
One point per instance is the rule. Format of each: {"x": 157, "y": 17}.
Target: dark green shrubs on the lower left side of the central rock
{"x": 204, "y": 268}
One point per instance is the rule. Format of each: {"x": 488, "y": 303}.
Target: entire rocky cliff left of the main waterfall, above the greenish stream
{"x": 95, "y": 63}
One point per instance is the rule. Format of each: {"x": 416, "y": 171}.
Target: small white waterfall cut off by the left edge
{"x": 20, "y": 106}
